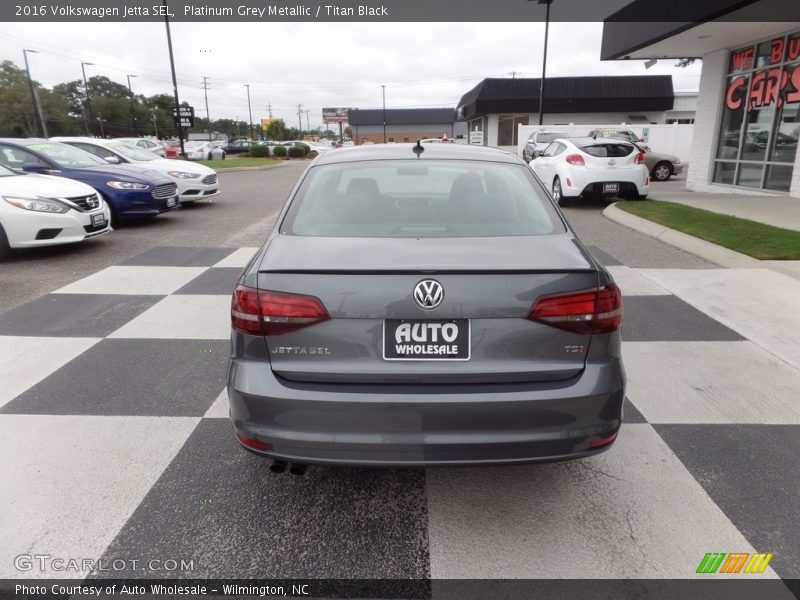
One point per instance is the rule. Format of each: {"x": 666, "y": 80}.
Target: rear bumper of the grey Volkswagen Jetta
{"x": 426, "y": 425}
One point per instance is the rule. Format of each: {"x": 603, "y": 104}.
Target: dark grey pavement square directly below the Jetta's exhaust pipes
{"x": 222, "y": 507}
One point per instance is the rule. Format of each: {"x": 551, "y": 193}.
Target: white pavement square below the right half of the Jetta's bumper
{"x": 632, "y": 512}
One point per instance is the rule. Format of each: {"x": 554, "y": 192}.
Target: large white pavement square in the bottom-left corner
{"x": 71, "y": 482}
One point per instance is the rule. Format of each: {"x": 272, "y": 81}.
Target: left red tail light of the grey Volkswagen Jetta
{"x": 264, "y": 312}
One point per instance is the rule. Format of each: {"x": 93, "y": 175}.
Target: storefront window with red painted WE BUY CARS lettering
{"x": 757, "y": 143}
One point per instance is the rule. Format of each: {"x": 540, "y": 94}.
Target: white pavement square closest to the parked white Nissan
{"x": 134, "y": 281}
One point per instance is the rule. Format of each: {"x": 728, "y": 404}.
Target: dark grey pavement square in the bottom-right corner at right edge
{"x": 752, "y": 472}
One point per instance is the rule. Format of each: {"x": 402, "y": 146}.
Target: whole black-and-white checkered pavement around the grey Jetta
{"x": 115, "y": 443}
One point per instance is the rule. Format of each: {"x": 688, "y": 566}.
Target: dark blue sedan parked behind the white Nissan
{"x": 129, "y": 190}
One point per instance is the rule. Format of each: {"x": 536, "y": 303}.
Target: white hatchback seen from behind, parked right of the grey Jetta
{"x": 582, "y": 167}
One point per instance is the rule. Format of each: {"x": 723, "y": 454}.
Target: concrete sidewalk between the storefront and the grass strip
{"x": 777, "y": 210}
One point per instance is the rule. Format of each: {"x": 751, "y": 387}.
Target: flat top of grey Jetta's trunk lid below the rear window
{"x": 514, "y": 253}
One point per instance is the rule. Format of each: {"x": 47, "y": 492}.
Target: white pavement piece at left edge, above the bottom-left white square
{"x": 25, "y": 361}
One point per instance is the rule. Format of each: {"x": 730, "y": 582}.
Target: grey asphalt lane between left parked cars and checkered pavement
{"x": 240, "y": 216}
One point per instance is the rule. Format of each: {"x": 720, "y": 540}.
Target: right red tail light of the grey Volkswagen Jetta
{"x": 586, "y": 311}
